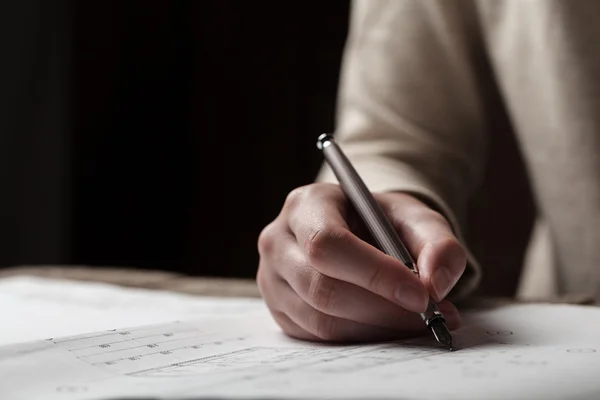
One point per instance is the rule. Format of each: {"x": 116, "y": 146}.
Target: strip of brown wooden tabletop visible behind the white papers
{"x": 209, "y": 286}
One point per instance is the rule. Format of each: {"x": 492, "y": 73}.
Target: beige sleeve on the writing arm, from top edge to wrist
{"x": 410, "y": 111}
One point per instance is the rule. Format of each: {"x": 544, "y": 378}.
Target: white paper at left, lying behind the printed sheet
{"x": 36, "y": 308}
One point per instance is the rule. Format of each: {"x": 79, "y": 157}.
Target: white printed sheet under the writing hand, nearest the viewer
{"x": 516, "y": 352}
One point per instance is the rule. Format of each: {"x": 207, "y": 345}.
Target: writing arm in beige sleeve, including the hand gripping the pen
{"x": 410, "y": 120}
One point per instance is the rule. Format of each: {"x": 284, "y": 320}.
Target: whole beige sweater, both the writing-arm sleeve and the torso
{"x": 413, "y": 115}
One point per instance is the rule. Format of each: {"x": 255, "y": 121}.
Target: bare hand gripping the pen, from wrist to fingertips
{"x": 323, "y": 281}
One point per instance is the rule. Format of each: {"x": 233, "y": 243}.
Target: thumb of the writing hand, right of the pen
{"x": 440, "y": 257}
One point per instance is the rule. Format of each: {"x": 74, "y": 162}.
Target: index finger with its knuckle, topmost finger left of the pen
{"x": 317, "y": 220}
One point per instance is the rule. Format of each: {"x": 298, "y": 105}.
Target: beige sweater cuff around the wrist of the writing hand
{"x": 386, "y": 175}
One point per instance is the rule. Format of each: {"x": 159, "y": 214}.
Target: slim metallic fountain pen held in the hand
{"x": 379, "y": 225}
